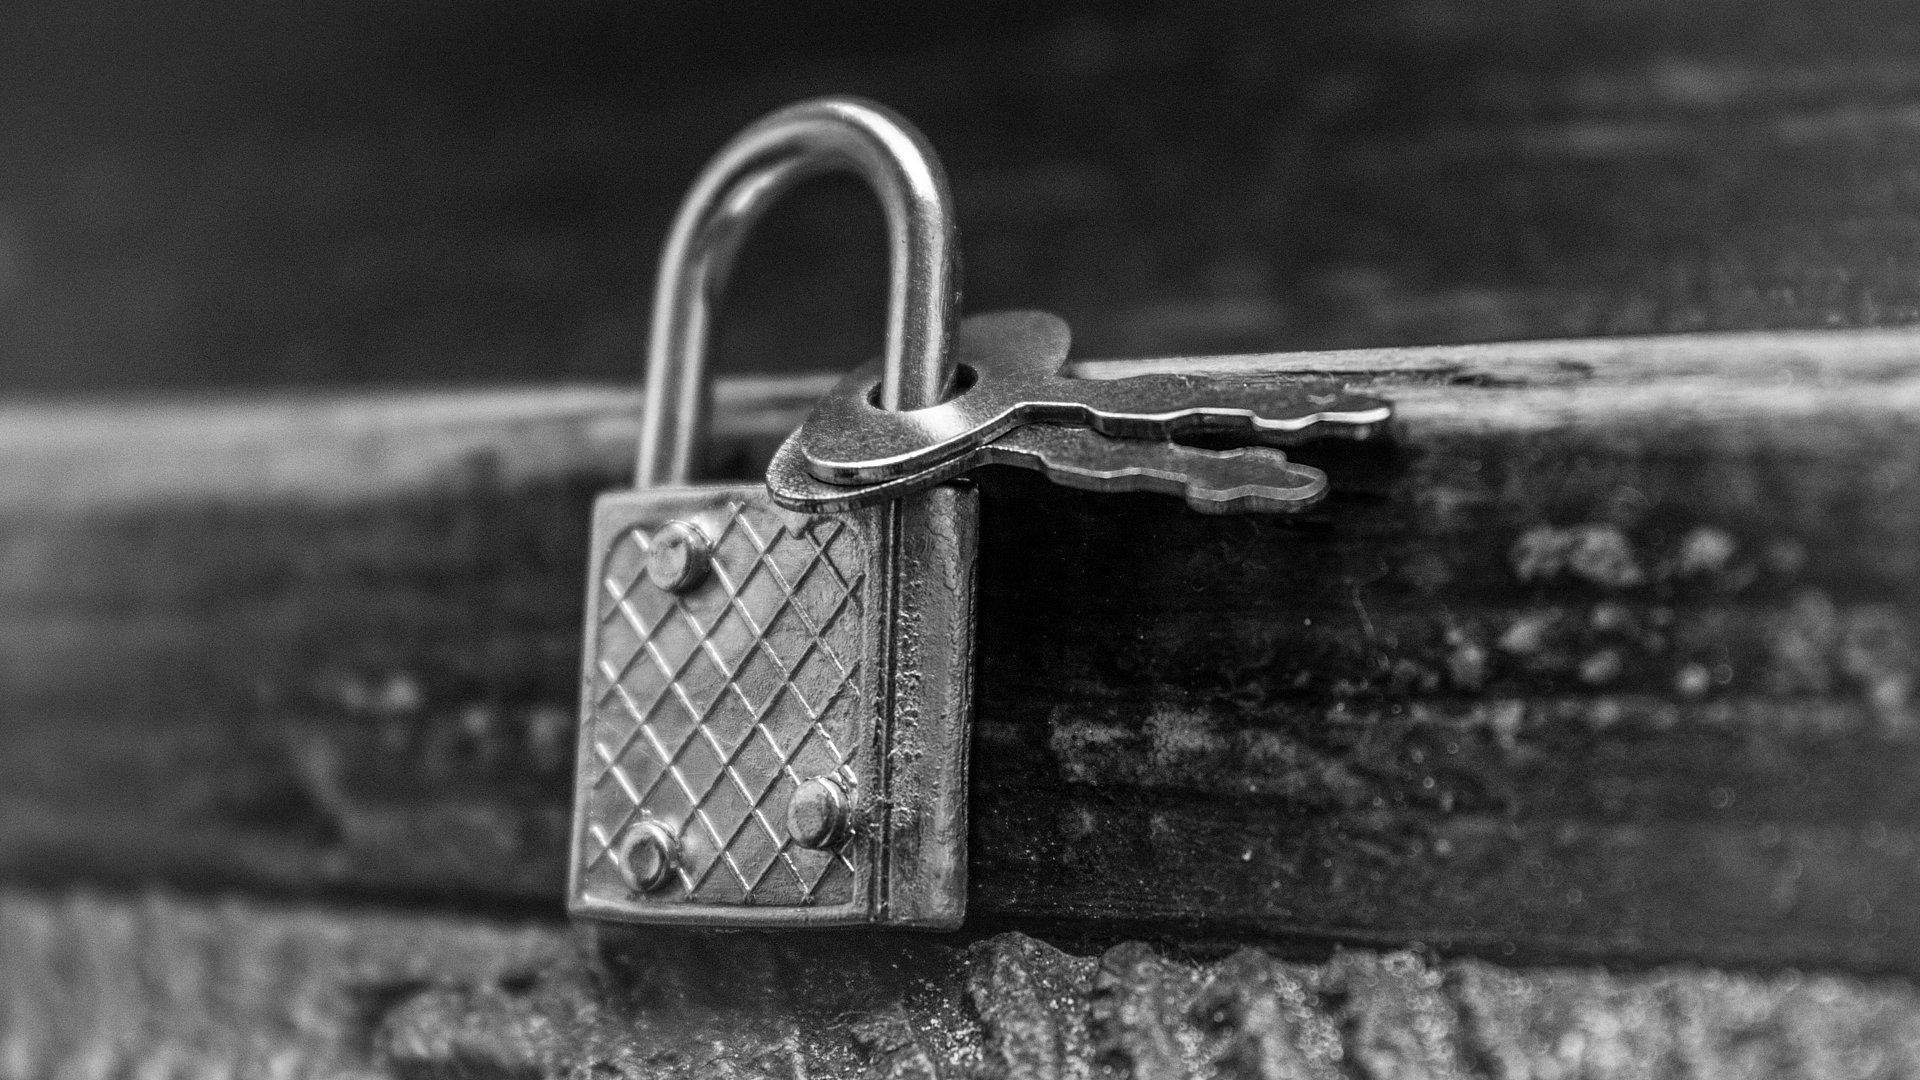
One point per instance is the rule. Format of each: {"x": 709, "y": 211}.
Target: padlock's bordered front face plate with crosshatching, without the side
{"x": 704, "y": 710}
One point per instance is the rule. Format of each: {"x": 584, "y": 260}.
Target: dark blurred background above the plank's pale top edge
{"x": 216, "y": 193}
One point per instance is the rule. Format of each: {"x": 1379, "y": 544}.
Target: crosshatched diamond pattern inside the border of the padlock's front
{"x": 709, "y": 708}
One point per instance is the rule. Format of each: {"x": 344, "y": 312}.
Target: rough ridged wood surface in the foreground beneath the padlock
{"x": 162, "y": 987}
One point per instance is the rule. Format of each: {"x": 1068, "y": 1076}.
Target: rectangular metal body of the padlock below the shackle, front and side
{"x": 708, "y": 706}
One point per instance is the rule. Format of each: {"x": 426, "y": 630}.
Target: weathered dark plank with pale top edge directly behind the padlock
{"x": 1604, "y": 654}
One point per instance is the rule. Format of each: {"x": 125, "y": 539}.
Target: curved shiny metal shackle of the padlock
{"x": 731, "y": 197}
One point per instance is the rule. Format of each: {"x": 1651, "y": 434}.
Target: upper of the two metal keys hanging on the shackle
{"x": 1011, "y": 376}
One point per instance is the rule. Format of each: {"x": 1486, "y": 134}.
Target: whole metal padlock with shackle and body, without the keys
{"x": 775, "y": 706}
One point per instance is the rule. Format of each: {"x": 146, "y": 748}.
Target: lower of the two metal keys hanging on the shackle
{"x": 1251, "y": 479}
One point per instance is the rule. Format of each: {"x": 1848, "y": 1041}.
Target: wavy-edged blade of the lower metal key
{"x": 1249, "y": 479}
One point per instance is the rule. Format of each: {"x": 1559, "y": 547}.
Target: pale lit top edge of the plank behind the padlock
{"x": 352, "y": 447}
